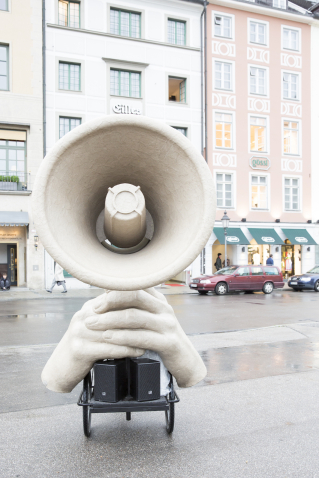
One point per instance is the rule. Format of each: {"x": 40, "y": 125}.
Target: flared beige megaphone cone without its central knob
{"x": 74, "y": 179}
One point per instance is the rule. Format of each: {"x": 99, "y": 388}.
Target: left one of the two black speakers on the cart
{"x": 110, "y": 380}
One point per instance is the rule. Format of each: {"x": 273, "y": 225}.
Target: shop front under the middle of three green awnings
{"x": 265, "y": 242}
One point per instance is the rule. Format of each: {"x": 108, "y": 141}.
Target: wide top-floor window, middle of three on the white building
{"x": 125, "y": 23}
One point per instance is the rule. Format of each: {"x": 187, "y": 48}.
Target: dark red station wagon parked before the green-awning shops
{"x": 247, "y": 278}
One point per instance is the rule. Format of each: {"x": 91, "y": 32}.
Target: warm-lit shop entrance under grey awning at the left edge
{"x": 13, "y": 232}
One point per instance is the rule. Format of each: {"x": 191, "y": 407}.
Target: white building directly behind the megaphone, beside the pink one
{"x": 124, "y": 57}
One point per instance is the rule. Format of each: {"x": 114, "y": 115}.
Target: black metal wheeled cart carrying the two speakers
{"x": 127, "y": 405}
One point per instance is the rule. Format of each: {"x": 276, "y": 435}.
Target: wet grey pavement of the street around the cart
{"x": 256, "y": 414}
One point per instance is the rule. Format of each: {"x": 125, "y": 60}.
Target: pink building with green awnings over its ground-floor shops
{"x": 259, "y": 133}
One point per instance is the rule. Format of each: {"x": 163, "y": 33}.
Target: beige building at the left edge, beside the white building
{"x": 21, "y": 138}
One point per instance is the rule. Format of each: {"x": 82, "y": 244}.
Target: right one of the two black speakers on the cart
{"x": 145, "y": 379}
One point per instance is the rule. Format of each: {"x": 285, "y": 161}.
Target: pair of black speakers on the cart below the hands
{"x": 114, "y": 380}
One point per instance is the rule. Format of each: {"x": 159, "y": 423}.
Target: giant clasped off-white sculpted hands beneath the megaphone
{"x": 121, "y": 324}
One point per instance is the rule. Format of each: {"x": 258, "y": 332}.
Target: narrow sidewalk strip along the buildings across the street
{"x": 17, "y": 293}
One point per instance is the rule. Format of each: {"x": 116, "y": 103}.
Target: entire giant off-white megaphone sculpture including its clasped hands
{"x": 123, "y": 203}
